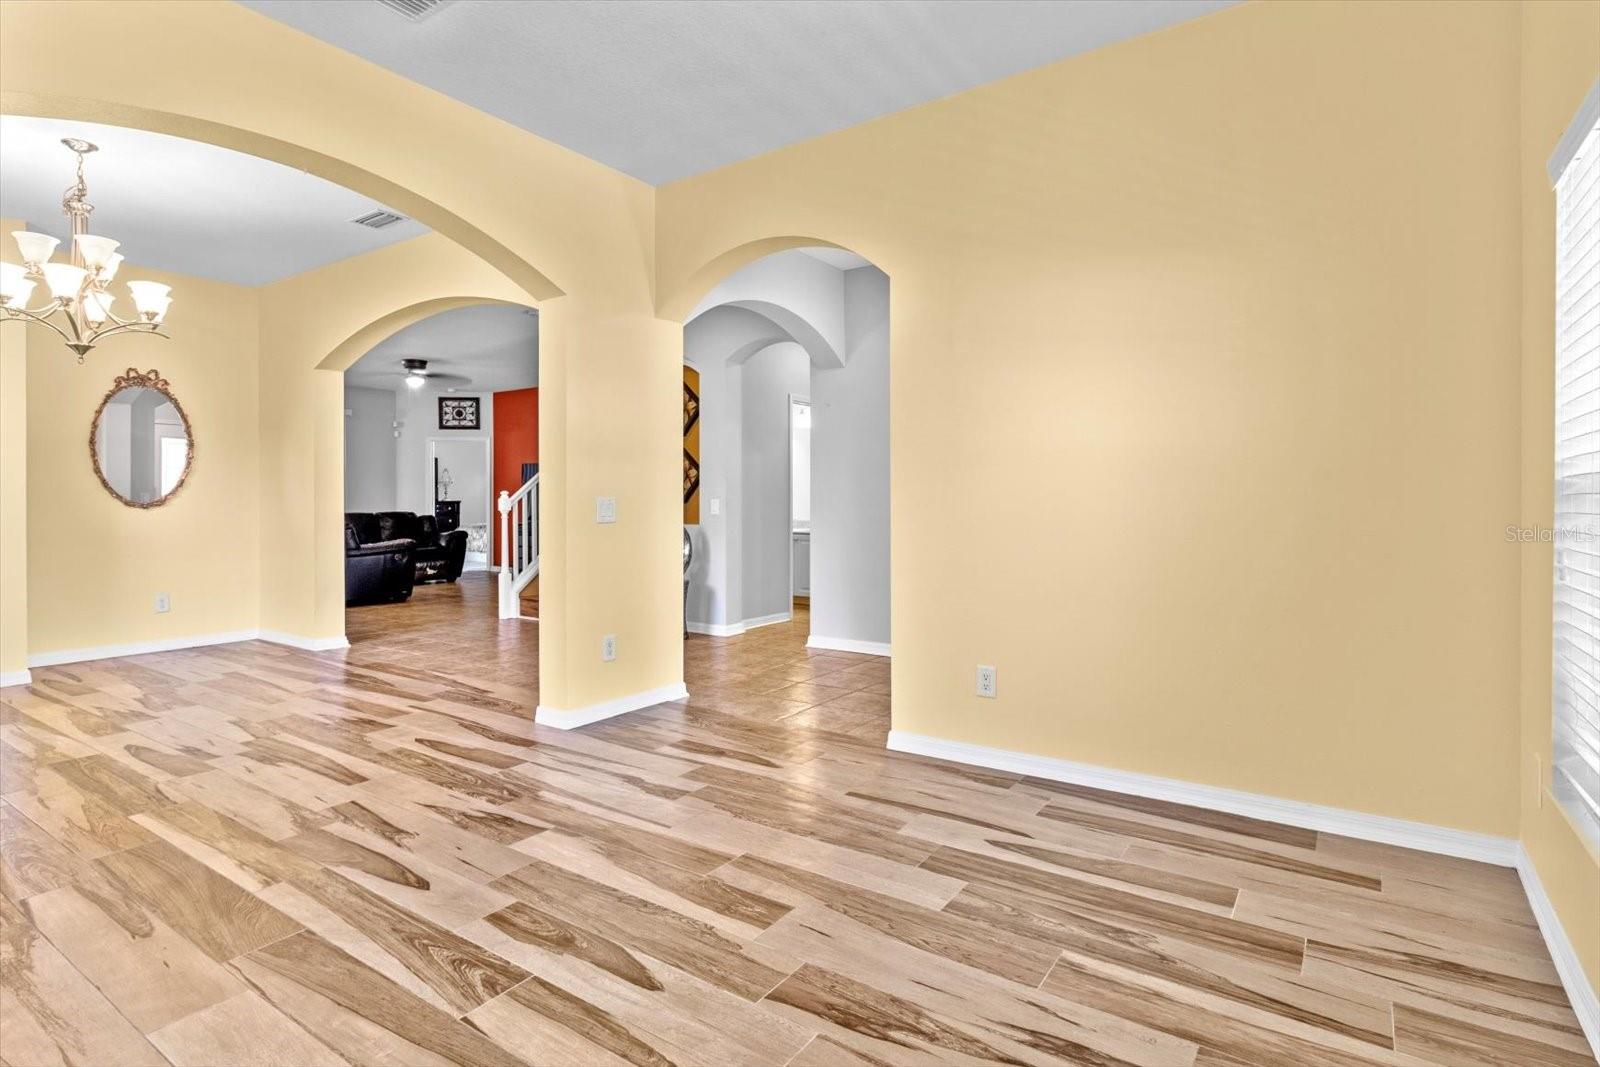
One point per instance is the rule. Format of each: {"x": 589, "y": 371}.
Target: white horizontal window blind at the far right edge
{"x": 1577, "y": 609}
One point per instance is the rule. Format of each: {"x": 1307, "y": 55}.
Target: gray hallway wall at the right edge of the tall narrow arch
{"x": 850, "y": 473}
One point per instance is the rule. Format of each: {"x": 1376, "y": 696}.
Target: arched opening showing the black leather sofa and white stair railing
{"x": 441, "y": 418}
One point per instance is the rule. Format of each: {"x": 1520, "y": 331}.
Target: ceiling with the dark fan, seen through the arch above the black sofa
{"x": 492, "y": 346}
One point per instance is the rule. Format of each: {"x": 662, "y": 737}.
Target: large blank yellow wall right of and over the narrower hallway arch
{"x": 1225, "y": 487}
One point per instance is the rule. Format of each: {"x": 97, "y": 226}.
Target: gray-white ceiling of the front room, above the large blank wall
{"x": 670, "y": 89}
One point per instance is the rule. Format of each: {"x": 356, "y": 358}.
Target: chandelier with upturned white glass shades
{"x": 81, "y": 305}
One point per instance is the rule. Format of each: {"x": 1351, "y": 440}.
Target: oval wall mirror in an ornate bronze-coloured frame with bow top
{"x": 140, "y": 442}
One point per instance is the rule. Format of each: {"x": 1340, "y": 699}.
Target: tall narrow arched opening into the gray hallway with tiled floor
{"x": 790, "y": 334}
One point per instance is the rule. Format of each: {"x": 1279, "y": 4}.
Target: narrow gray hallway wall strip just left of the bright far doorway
{"x": 770, "y": 377}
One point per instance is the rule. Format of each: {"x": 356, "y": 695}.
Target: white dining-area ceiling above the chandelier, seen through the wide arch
{"x": 183, "y": 206}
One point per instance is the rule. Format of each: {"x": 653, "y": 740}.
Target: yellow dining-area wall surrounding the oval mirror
{"x": 95, "y": 565}
